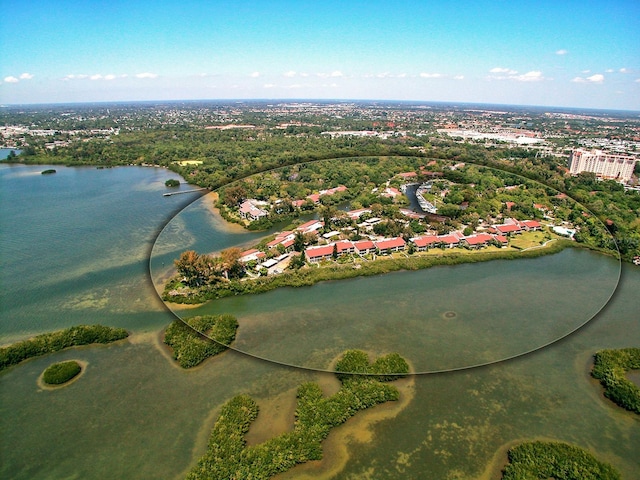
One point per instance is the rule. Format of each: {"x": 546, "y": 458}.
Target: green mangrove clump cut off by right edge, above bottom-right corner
{"x": 610, "y": 367}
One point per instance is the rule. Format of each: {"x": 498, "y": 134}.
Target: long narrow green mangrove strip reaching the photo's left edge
{"x": 55, "y": 341}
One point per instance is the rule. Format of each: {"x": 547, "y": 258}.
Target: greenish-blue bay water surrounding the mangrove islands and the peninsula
{"x": 75, "y": 248}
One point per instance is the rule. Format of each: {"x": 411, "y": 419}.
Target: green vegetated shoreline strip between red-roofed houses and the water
{"x": 313, "y": 275}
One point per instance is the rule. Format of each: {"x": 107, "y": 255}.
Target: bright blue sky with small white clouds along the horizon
{"x": 555, "y": 53}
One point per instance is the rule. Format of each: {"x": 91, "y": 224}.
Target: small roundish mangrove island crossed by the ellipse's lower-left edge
{"x": 200, "y": 338}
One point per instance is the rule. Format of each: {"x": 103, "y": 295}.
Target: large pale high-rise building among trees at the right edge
{"x": 603, "y": 164}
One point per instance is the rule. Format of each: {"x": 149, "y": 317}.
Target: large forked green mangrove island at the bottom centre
{"x": 229, "y": 457}
